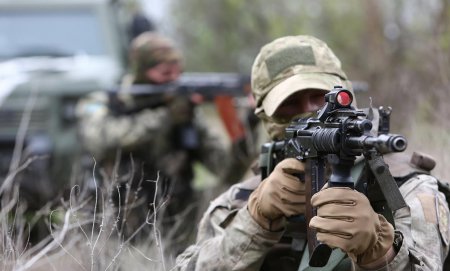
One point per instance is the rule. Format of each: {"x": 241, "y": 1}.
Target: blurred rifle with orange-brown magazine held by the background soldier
{"x": 220, "y": 88}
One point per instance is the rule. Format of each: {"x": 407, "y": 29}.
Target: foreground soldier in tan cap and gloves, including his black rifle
{"x": 257, "y": 225}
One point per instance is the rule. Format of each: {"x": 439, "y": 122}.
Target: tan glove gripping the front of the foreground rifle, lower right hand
{"x": 346, "y": 220}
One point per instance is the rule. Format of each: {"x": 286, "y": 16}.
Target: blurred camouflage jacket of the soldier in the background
{"x": 151, "y": 135}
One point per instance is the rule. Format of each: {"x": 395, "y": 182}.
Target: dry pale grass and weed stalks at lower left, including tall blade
{"x": 86, "y": 231}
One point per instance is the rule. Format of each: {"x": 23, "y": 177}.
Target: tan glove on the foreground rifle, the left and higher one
{"x": 279, "y": 196}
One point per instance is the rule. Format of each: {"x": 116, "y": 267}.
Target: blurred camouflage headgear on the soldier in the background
{"x": 150, "y": 49}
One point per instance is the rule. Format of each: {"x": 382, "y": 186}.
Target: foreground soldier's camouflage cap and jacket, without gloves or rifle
{"x": 230, "y": 239}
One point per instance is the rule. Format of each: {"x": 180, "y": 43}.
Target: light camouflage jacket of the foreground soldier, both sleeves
{"x": 229, "y": 239}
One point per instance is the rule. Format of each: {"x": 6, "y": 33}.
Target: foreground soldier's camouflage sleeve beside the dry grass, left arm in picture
{"x": 227, "y": 240}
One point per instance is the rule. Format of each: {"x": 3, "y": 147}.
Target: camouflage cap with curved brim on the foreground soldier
{"x": 291, "y": 64}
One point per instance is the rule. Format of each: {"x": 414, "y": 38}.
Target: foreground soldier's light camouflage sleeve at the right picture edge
{"x": 422, "y": 229}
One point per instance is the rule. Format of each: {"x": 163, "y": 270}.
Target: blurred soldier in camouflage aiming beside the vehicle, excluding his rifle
{"x": 152, "y": 144}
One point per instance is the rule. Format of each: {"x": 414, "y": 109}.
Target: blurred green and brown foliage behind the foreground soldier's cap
{"x": 400, "y": 48}
